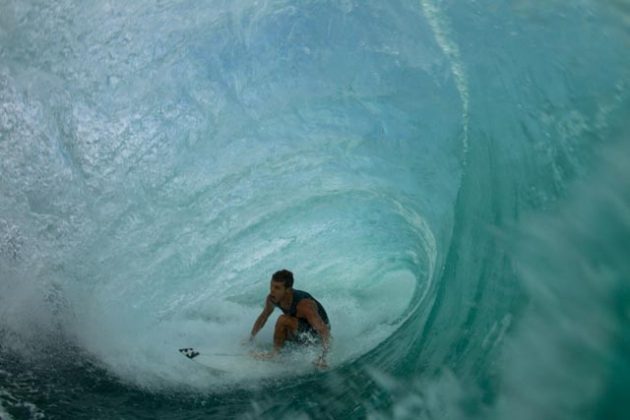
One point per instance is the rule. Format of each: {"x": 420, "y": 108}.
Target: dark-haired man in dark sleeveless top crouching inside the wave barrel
{"x": 304, "y": 320}
